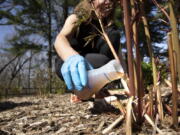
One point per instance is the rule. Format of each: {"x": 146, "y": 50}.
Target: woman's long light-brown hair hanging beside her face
{"x": 85, "y": 12}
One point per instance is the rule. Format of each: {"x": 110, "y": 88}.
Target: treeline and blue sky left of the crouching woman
{"x": 27, "y": 56}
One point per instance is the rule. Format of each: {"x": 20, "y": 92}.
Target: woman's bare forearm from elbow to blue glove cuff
{"x": 63, "y": 48}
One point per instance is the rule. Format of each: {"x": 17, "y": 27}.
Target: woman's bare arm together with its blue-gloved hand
{"x": 75, "y": 67}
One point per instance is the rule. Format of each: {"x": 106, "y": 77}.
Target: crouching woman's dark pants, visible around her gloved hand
{"x": 95, "y": 59}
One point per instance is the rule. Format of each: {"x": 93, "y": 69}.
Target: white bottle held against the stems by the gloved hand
{"x": 98, "y": 78}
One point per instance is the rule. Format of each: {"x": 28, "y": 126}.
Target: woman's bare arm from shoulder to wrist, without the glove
{"x": 62, "y": 45}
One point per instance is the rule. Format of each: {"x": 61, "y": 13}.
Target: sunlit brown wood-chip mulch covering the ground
{"x": 55, "y": 115}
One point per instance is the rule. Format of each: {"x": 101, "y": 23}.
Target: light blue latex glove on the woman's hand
{"x": 74, "y": 71}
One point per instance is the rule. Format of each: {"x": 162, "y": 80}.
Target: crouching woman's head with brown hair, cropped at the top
{"x": 104, "y": 8}
